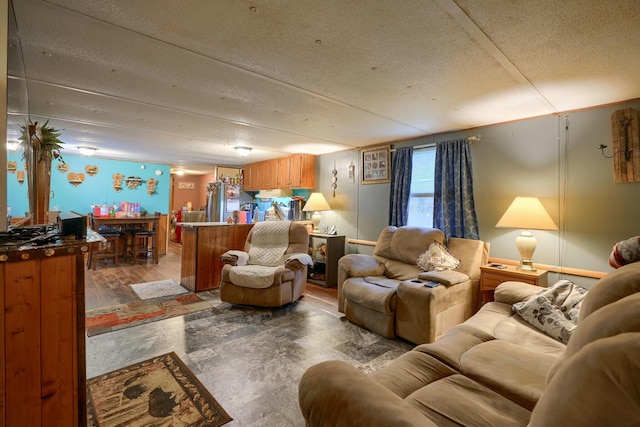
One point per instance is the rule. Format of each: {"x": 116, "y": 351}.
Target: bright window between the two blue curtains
{"x": 421, "y": 198}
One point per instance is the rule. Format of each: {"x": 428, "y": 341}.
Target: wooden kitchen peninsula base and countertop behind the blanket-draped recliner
{"x": 203, "y": 244}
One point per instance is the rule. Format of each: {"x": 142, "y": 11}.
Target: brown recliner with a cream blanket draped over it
{"x": 272, "y": 269}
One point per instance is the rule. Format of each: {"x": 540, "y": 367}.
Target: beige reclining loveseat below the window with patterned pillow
{"x": 385, "y": 293}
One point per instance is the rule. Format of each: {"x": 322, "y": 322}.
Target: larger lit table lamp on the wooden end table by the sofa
{"x": 526, "y": 213}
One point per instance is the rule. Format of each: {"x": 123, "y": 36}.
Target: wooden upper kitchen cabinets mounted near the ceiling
{"x": 296, "y": 171}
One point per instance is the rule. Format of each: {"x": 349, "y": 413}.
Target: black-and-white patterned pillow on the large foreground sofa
{"x": 554, "y": 310}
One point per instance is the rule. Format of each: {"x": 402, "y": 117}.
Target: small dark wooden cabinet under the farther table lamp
{"x": 326, "y": 250}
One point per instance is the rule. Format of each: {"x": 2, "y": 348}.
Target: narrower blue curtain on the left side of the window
{"x": 400, "y": 186}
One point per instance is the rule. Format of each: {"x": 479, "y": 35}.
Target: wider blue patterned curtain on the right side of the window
{"x": 454, "y": 210}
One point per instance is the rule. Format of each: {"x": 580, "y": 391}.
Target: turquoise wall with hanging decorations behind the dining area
{"x": 94, "y": 189}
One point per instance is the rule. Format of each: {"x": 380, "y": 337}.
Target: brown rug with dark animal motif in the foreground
{"x": 160, "y": 391}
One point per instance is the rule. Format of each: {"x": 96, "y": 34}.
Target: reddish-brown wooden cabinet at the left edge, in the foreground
{"x": 43, "y": 337}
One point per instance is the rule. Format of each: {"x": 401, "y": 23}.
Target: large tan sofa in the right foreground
{"x": 497, "y": 370}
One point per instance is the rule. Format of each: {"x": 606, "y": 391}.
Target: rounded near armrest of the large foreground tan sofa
{"x": 334, "y": 393}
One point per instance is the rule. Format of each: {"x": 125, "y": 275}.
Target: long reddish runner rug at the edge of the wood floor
{"x": 109, "y": 319}
